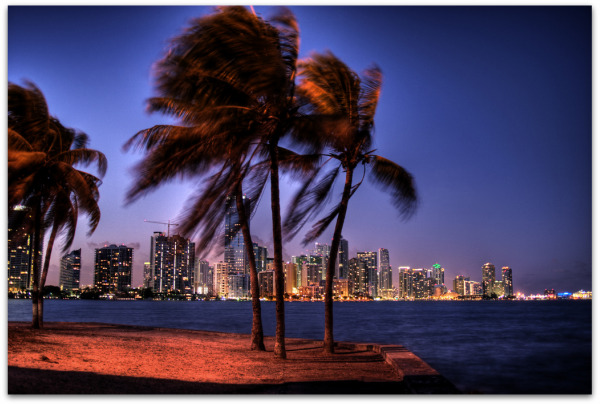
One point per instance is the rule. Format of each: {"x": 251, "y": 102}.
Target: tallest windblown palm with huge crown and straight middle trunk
{"x": 230, "y": 77}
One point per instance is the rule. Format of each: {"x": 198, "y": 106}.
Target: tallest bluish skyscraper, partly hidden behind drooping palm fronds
{"x": 235, "y": 251}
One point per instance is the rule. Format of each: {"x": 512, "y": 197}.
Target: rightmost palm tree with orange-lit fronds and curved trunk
{"x": 331, "y": 89}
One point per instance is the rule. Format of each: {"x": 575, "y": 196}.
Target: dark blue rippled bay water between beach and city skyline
{"x": 538, "y": 347}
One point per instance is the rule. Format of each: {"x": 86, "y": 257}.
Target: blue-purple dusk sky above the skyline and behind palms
{"x": 488, "y": 107}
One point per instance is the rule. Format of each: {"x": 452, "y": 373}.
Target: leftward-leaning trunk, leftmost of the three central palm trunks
{"x": 256, "y": 338}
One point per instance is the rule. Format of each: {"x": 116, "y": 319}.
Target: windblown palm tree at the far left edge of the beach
{"x": 42, "y": 155}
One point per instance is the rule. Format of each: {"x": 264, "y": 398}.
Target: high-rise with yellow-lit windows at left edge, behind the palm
{"x": 20, "y": 251}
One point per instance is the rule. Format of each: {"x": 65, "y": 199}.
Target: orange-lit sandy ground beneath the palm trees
{"x": 93, "y": 358}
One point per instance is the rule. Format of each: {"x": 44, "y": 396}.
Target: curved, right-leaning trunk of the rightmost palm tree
{"x": 335, "y": 244}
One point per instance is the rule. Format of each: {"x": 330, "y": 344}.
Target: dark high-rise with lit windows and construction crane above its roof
{"x": 172, "y": 263}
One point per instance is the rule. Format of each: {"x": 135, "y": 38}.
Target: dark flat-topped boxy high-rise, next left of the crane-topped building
{"x": 112, "y": 268}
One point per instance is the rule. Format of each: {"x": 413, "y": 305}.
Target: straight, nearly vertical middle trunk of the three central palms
{"x": 279, "y": 348}
